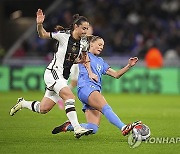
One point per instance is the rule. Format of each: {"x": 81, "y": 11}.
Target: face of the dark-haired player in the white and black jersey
{"x": 82, "y": 29}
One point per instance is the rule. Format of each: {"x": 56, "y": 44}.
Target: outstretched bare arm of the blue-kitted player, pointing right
{"x": 119, "y": 73}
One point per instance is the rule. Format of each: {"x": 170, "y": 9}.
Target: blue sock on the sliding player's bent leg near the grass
{"x": 85, "y": 125}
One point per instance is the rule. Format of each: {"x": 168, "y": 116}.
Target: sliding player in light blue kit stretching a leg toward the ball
{"x": 89, "y": 91}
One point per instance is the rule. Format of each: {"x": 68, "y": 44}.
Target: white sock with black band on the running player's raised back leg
{"x": 32, "y": 105}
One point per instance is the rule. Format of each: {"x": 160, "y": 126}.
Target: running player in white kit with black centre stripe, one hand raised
{"x": 71, "y": 45}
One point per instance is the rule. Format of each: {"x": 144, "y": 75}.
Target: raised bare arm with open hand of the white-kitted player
{"x": 40, "y": 29}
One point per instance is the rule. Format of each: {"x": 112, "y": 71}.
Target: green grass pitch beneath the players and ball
{"x": 29, "y": 132}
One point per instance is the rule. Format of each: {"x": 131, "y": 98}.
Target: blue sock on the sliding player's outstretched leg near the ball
{"x": 112, "y": 117}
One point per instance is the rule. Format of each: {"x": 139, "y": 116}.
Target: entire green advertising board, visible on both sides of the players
{"x": 137, "y": 80}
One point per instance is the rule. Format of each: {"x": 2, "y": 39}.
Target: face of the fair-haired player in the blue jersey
{"x": 97, "y": 46}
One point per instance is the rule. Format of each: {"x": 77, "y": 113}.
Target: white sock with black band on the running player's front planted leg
{"x": 71, "y": 113}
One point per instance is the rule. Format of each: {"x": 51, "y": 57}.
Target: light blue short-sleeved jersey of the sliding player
{"x": 98, "y": 67}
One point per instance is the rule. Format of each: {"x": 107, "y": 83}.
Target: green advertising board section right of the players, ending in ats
{"x": 142, "y": 80}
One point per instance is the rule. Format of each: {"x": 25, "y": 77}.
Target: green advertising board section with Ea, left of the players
{"x": 21, "y": 78}
